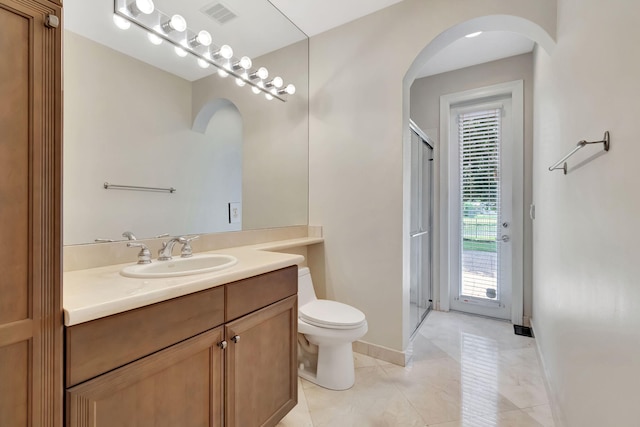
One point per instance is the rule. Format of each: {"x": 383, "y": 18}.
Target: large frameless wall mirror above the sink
{"x": 138, "y": 114}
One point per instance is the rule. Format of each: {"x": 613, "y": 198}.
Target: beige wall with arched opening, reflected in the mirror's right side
{"x": 275, "y": 150}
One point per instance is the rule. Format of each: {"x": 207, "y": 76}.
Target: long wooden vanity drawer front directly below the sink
{"x": 104, "y": 344}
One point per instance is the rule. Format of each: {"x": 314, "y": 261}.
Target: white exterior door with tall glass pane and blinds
{"x": 481, "y": 176}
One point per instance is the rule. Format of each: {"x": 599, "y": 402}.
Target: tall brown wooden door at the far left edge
{"x": 30, "y": 185}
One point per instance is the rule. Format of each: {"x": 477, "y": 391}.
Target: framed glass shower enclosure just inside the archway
{"x": 421, "y": 237}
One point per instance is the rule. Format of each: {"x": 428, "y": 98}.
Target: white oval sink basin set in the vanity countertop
{"x": 196, "y": 264}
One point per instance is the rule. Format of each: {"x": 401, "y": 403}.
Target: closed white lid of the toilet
{"x": 331, "y": 314}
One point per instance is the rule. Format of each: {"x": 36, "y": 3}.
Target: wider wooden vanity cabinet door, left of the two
{"x": 179, "y": 386}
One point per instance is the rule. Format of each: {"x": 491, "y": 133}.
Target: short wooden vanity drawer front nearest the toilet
{"x": 251, "y": 294}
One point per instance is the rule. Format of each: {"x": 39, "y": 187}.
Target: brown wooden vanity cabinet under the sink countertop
{"x": 231, "y": 369}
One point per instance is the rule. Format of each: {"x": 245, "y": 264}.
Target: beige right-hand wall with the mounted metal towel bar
{"x": 586, "y": 307}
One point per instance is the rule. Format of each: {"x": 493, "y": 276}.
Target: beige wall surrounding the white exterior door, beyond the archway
{"x": 425, "y": 111}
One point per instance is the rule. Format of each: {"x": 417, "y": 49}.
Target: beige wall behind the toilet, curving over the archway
{"x": 357, "y": 126}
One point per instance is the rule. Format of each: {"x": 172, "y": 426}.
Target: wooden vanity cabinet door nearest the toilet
{"x": 261, "y": 371}
